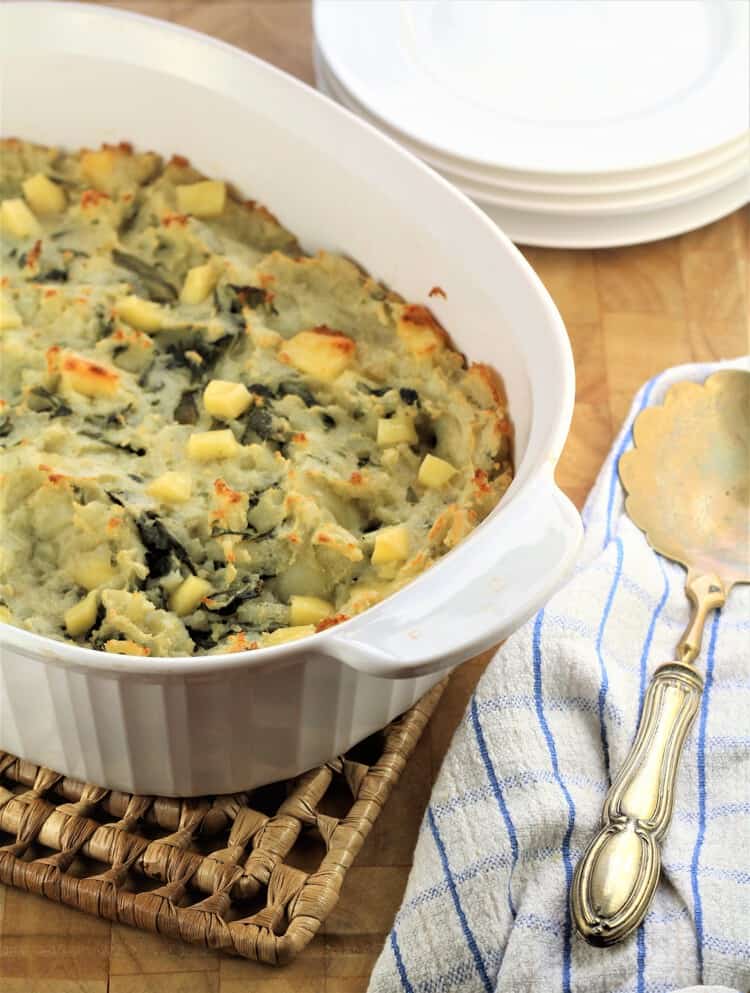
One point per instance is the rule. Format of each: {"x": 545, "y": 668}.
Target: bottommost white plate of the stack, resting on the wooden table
{"x": 554, "y": 230}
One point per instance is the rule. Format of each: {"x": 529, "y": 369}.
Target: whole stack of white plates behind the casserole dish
{"x": 573, "y": 123}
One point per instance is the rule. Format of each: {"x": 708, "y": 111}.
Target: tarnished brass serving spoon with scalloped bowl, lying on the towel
{"x": 688, "y": 489}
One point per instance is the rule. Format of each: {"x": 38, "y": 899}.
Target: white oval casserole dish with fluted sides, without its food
{"x": 78, "y": 75}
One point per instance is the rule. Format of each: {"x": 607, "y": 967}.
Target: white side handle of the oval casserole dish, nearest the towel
{"x": 474, "y": 597}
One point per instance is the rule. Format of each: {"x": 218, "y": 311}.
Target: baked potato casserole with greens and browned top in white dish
{"x": 212, "y": 441}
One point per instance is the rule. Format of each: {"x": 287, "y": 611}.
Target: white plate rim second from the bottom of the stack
{"x": 692, "y": 183}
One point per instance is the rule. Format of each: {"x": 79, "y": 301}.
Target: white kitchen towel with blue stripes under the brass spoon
{"x": 520, "y": 791}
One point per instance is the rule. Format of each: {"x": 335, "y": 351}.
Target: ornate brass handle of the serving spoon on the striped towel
{"x": 616, "y": 878}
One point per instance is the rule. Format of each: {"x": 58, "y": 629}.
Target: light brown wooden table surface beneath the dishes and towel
{"x": 630, "y": 313}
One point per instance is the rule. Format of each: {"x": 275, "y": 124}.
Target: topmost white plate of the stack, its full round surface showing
{"x": 548, "y": 86}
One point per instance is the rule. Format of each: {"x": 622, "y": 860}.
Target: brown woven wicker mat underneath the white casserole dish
{"x": 252, "y": 874}
